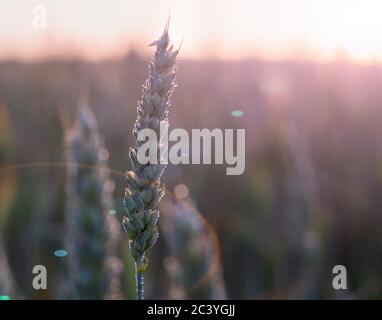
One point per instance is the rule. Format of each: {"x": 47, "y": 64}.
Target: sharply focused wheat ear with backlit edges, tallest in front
{"x": 144, "y": 188}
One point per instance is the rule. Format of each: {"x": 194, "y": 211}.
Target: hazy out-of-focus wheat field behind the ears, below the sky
{"x": 308, "y": 200}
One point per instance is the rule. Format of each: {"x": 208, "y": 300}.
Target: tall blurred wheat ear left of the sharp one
{"x": 91, "y": 233}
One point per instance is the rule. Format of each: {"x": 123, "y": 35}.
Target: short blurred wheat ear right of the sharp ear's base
{"x": 194, "y": 263}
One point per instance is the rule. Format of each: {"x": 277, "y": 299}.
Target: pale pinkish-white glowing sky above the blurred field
{"x": 226, "y": 29}
